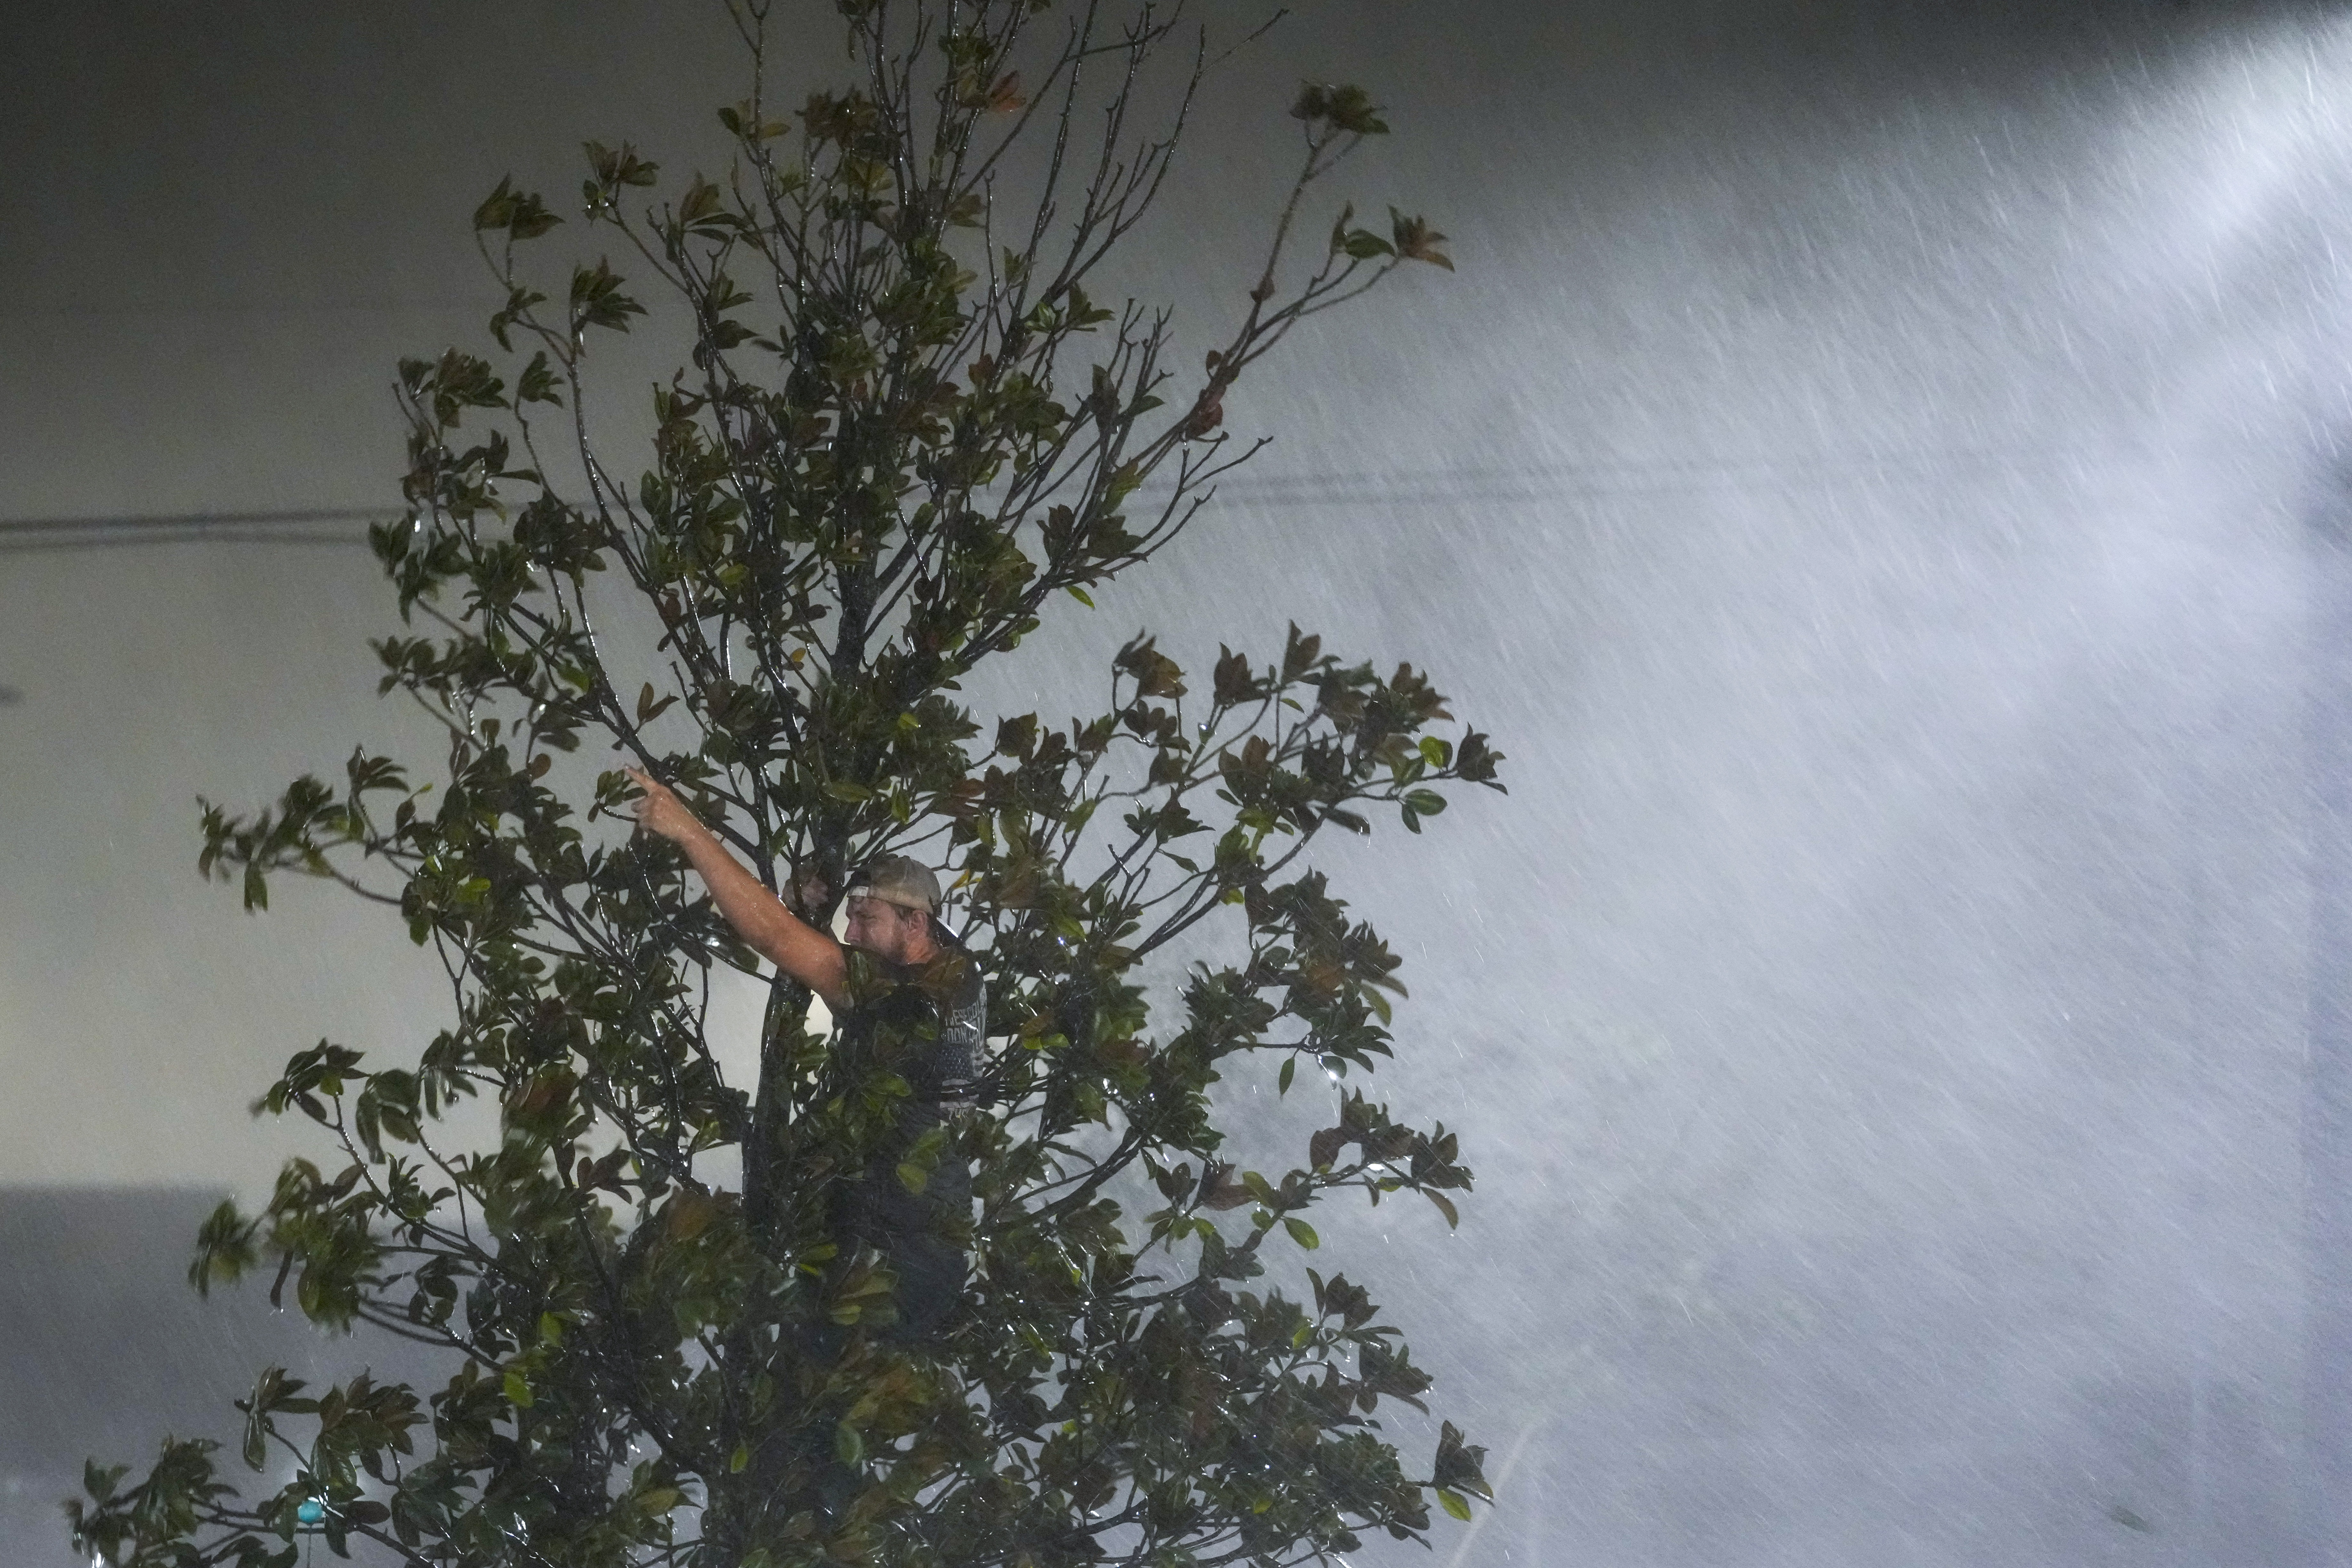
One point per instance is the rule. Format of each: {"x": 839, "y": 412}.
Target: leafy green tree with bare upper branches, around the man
{"x": 909, "y": 434}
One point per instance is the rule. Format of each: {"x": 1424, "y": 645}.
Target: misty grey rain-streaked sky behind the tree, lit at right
{"x": 1880, "y": 471}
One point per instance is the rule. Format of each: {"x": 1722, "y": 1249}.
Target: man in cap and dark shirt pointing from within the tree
{"x": 909, "y": 1005}
